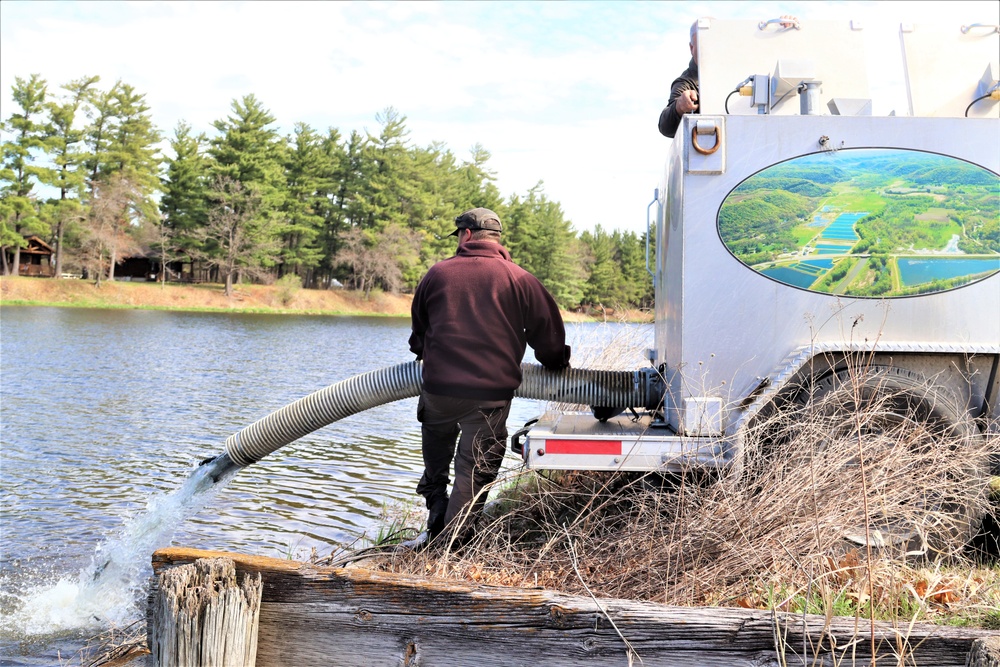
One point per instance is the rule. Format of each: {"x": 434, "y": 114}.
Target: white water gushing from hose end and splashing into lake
{"x": 109, "y": 590}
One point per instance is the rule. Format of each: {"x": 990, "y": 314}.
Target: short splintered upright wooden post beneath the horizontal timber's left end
{"x": 199, "y": 616}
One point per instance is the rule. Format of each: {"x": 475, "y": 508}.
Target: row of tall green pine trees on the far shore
{"x": 82, "y": 169}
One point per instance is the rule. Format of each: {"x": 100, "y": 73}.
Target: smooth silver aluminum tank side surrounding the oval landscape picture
{"x": 724, "y": 326}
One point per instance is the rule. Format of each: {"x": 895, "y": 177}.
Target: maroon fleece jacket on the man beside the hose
{"x": 473, "y": 314}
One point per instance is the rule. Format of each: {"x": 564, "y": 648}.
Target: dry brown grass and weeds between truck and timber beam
{"x": 771, "y": 535}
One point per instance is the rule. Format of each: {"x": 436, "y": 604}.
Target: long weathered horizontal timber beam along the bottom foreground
{"x": 332, "y": 616}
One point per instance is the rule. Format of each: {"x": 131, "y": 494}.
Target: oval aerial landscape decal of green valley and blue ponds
{"x": 867, "y": 222}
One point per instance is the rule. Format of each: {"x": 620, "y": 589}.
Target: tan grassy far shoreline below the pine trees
{"x": 247, "y": 299}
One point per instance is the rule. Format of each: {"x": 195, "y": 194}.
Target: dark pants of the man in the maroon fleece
{"x": 481, "y": 449}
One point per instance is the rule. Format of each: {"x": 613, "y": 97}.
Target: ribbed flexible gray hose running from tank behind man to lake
{"x": 368, "y": 390}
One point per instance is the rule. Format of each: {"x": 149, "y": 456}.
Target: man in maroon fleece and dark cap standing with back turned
{"x": 472, "y": 316}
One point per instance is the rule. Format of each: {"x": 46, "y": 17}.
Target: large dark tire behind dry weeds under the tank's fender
{"x": 883, "y": 411}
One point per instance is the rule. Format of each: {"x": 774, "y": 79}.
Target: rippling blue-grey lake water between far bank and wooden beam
{"x": 106, "y": 412}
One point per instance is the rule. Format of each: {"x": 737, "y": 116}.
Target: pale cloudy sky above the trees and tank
{"x": 567, "y": 93}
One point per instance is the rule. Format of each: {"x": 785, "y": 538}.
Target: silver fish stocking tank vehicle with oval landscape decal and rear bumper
{"x": 815, "y": 261}
